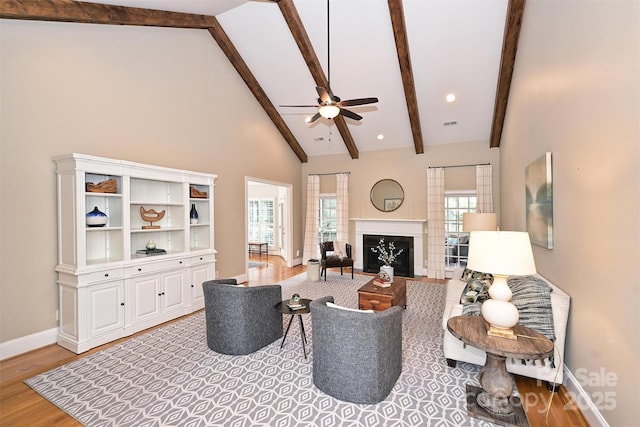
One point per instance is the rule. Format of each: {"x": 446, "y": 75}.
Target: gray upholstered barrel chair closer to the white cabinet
{"x": 241, "y": 320}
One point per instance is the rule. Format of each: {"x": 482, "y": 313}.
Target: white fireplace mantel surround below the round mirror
{"x": 392, "y": 227}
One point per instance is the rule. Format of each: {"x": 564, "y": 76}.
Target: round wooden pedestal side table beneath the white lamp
{"x": 493, "y": 402}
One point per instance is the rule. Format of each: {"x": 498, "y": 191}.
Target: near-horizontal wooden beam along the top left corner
{"x": 95, "y": 13}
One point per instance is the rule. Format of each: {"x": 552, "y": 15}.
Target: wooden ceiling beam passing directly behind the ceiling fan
{"x": 292, "y": 18}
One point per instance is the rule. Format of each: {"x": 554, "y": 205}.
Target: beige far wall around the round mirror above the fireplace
{"x": 410, "y": 170}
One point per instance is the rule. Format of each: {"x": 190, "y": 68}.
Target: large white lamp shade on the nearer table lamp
{"x": 501, "y": 252}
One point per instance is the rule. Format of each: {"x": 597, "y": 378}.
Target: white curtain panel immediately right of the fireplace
{"x": 435, "y": 223}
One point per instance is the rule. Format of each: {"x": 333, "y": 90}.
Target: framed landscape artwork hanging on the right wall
{"x": 539, "y": 199}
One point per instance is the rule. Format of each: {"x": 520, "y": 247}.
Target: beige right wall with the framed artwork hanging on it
{"x": 576, "y": 93}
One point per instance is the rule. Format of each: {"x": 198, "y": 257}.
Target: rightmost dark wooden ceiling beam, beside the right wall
{"x": 515, "y": 11}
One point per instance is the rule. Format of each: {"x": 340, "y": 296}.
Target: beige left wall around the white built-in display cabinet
{"x": 161, "y": 96}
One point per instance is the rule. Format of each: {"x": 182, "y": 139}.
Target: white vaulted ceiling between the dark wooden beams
{"x": 455, "y": 47}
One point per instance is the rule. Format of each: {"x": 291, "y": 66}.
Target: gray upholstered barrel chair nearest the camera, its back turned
{"x": 357, "y": 357}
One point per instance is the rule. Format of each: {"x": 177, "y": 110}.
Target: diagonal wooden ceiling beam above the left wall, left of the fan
{"x": 243, "y": 70}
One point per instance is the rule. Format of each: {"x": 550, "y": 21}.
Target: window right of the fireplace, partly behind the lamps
{"x": 457, "y": 241}
